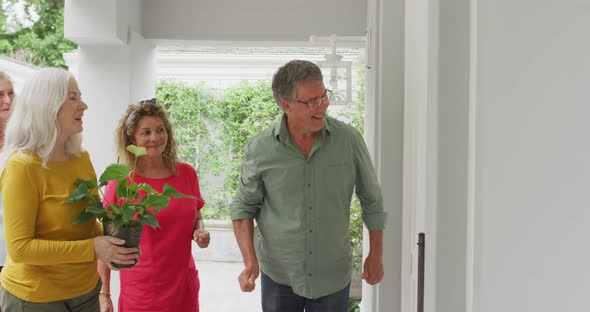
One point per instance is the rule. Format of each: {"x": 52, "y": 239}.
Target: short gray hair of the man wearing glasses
{"x": 285, "y": 79}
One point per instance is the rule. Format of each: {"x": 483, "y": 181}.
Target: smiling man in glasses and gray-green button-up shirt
{"x": 297, "y": 179}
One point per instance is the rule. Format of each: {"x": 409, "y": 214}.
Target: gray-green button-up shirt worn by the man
{"x": 302, "y": 204}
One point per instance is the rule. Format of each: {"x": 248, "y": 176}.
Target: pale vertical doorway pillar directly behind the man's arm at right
{"x": 384, "y": 133}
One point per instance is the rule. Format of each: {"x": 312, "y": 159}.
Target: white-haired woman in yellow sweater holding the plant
{"x": 51, "y": 264}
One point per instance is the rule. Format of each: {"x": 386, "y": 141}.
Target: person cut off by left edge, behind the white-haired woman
{"x": 6, "y": 98}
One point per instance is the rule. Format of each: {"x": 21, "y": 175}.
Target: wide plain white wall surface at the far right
{"x": 532, "y": 163}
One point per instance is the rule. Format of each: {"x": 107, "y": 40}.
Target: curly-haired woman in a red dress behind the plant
{"x": 166, "y": 278}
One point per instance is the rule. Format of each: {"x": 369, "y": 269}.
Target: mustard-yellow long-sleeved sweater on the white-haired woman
{"x": 49, "y": 258}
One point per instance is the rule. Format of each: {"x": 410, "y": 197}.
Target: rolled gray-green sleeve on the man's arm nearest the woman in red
{"x": 249, "y": 195}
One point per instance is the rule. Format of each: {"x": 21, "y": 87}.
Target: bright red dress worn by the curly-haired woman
{"x": 166, "y": 278}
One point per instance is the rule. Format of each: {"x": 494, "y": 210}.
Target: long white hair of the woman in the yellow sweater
{"x": 32, "y": 126}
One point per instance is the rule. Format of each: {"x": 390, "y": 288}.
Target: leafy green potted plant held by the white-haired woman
{"x": 124, "y": 219}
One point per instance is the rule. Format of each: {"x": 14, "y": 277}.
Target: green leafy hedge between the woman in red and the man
{"x": 212, "y": 131}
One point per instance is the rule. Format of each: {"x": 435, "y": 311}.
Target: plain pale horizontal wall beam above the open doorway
{"x": 252, "y": 20}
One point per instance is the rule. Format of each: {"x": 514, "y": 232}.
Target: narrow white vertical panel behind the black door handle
{"x": 419, "y": 149}
